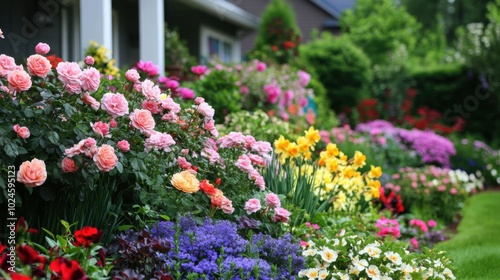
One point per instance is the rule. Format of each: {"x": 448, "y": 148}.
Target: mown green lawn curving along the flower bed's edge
{"x": 475, "y": 250}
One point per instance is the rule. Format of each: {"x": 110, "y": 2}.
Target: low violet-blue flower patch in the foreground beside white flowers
{"x": 215, "y": 248}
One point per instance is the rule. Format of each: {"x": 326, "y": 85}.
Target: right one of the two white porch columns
{"x": 152, "y": 33}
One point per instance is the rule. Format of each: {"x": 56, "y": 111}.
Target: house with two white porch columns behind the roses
{"x": 131, "y": 29}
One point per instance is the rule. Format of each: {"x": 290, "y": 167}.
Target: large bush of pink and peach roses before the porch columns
{"x": 78, "y": 135}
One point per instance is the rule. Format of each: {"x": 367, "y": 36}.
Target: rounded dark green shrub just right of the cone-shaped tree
{"x": 341, "y": 67}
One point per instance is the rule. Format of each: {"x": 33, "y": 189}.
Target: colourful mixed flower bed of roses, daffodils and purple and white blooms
{"x": 128, "y": 177}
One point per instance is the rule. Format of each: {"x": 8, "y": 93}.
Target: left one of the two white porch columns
{"x": 96, "y": 23}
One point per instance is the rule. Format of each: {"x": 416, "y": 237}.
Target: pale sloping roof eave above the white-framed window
{"x": 226, "y": 11}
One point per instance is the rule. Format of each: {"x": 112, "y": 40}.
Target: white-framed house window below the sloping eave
{"x": 217, "y": 45}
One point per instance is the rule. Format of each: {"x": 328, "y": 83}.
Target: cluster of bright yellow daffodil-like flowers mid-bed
{"x": 334, "y": 175}
